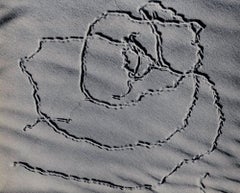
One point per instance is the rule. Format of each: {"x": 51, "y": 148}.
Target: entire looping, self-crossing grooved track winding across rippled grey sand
{"x": 156, "y": 62}
